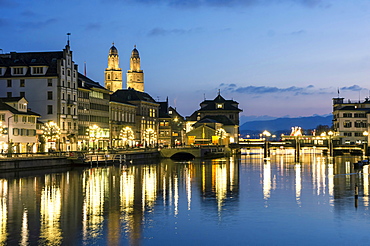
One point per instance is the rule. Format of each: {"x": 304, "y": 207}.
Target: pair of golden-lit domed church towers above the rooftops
{"x": 113, "y": 74}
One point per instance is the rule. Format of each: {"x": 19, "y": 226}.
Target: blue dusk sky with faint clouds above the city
{"x": 276, "y": 58}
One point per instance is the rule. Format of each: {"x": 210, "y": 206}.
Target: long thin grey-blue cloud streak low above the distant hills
{"x": 292, "y": 90}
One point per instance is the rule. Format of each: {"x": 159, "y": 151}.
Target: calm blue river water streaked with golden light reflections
{"x": 237, "y": 201}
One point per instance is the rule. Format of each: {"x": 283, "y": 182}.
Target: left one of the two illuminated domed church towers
{"x": 113, "y": 74}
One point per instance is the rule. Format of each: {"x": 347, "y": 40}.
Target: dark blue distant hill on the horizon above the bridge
{"x": 285, "y": 124}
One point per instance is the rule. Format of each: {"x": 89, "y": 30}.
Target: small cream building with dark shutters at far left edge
{"x": 17, "y": 126}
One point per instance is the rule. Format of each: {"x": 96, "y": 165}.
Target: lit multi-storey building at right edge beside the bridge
{"x": 351, "y": 121}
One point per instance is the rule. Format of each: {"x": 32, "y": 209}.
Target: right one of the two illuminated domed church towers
{"x": 135, "y": 76}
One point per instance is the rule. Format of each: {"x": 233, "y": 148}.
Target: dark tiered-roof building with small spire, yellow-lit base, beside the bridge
{"x": 217, "y": 122}
